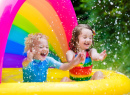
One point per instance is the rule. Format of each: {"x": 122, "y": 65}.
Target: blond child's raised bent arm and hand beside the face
{"x": 29, "y": 58}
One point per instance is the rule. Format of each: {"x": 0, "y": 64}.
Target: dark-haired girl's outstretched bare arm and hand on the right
{"x": 97, "y": 56}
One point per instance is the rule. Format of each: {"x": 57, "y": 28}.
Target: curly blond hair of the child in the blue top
{"x": 32, "y": 39}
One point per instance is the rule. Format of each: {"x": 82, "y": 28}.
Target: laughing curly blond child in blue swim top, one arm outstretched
{"x": 36, "y": 64}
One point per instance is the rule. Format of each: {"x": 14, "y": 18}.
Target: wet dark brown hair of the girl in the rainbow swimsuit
{"x": 75, "y": 33}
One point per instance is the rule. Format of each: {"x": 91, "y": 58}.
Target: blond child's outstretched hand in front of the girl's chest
{"x": 78, "y": 59}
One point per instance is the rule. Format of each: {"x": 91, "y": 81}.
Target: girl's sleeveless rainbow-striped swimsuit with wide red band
{"x": 82, "y": 72}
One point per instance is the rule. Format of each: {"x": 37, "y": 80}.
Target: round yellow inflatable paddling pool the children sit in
{"x": 112, "y": 84}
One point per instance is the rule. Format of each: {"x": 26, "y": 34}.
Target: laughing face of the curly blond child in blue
{"x": 41, "y": 49}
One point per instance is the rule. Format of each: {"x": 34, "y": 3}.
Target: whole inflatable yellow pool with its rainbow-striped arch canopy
{"x": 56, "y": 19}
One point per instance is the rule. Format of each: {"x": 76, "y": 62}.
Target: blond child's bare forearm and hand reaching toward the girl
{"x": 73, "y": 62}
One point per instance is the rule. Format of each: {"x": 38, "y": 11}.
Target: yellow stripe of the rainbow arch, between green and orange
{"x": 30, "y": 13}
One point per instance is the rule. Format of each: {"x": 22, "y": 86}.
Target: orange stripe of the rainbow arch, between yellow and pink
{"x": 53, "y": 19}
